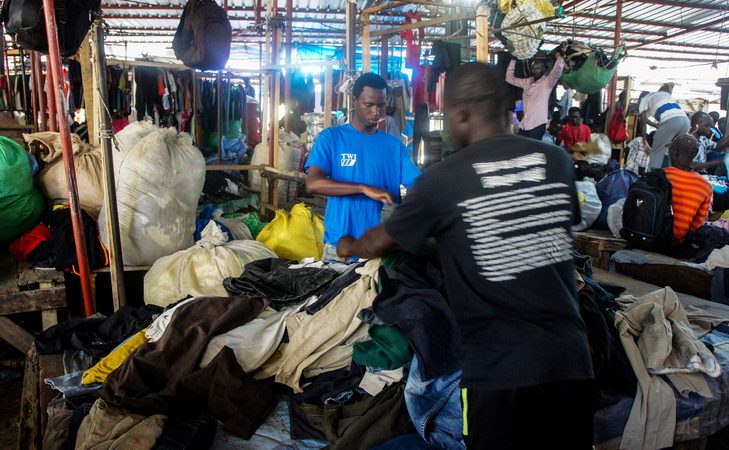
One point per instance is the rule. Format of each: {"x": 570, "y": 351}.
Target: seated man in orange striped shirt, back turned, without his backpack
{"x": 691, "y": 192}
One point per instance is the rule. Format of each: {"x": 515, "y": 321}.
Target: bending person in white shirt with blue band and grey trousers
{"x": 670, "y": 121}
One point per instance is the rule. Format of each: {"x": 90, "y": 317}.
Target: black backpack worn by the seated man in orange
{"x": 648, "y": 213}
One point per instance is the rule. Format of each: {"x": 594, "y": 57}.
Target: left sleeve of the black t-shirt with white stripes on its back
{"x": 417, "y": 217}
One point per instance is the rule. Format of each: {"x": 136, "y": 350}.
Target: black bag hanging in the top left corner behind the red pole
{"x": 24, "y": 20}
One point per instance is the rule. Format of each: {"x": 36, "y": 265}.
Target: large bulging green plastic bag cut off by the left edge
{"x": 21, "y": 203}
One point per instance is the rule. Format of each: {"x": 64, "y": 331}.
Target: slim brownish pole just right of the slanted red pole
{"x": 116, "y": 263}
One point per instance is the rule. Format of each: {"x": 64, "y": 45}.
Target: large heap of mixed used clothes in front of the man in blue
{"x": 358, "y": 355}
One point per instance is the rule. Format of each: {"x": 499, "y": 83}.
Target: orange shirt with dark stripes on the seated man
{"x": 691, "y": 197}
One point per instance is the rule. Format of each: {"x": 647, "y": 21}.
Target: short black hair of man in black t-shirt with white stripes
{"x": 479, "y": 85}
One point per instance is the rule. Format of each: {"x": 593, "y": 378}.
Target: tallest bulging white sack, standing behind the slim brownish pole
{"x": 158, "y": 184}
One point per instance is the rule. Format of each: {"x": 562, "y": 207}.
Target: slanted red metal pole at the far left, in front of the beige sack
{"x": 54, "y": 65}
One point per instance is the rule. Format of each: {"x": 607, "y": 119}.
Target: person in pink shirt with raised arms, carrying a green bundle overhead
{"x": 537, "y": 90}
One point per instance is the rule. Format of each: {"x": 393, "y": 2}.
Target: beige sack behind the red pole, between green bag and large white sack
{"x": 88, "y": 162}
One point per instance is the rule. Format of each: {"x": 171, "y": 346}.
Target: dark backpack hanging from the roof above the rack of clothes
{"x": 202, "y": 40}
